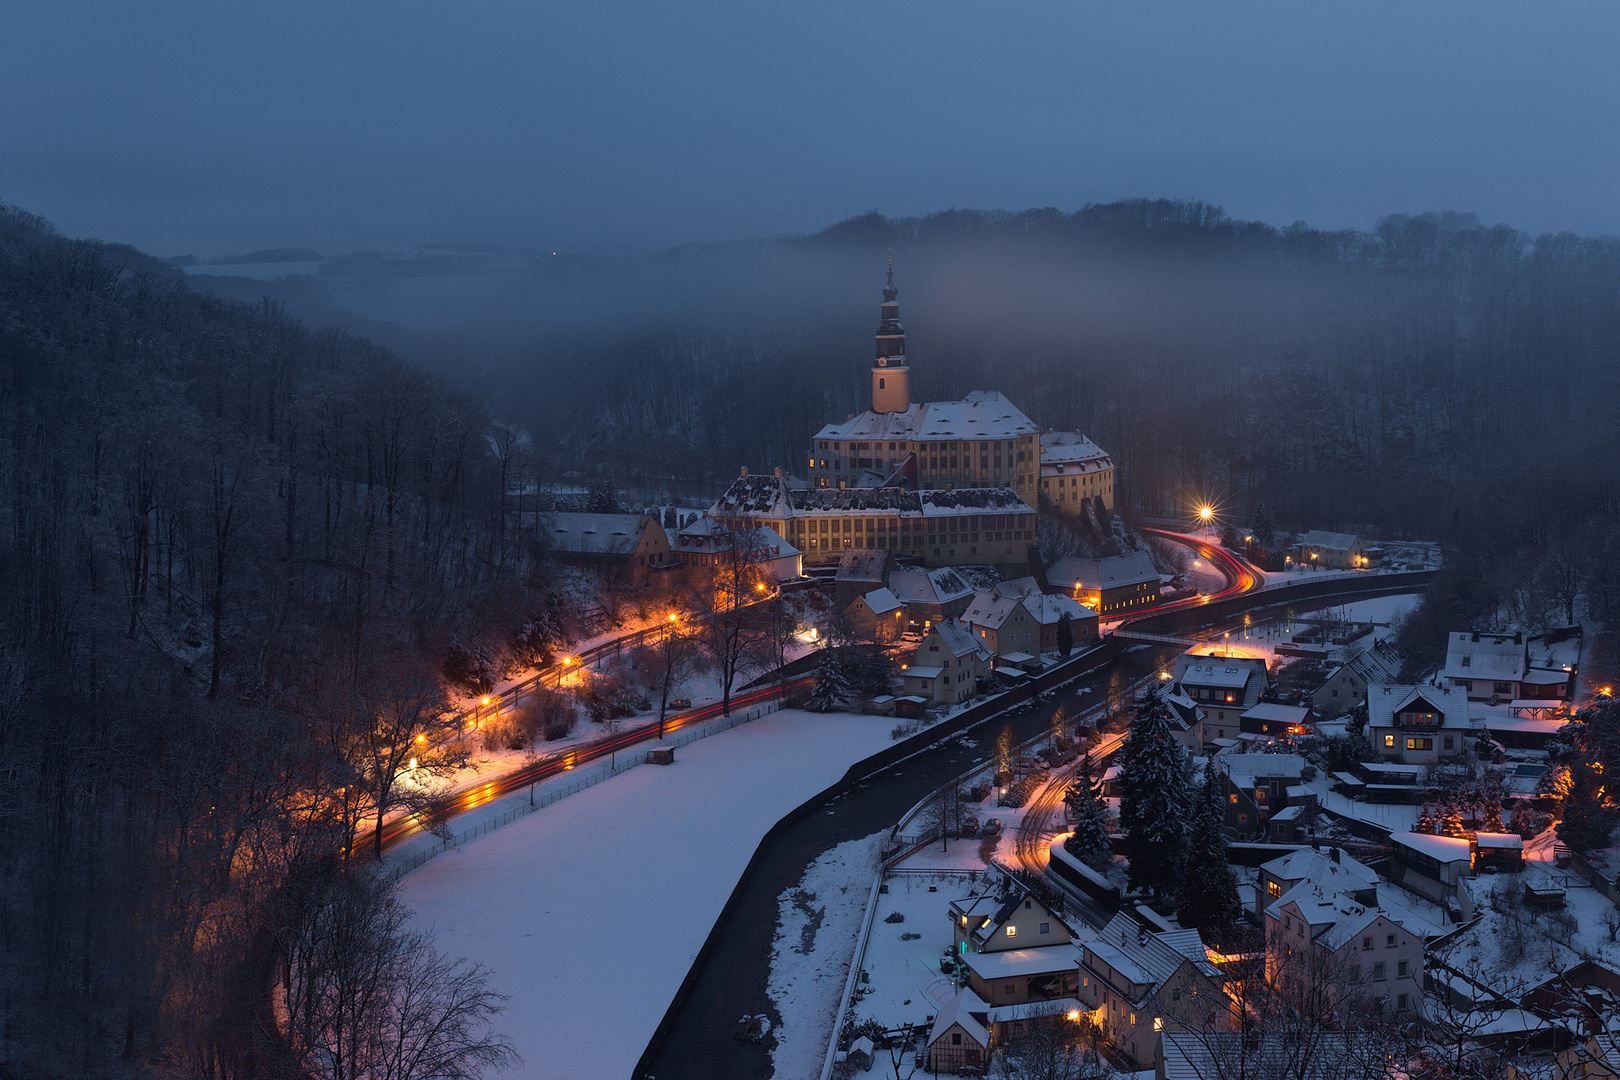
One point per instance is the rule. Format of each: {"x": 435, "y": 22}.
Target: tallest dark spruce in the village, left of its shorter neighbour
{"x": 1154, "y": 797}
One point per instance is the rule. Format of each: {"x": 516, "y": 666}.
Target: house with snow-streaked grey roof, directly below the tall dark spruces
{"x": 1138, "y": 984}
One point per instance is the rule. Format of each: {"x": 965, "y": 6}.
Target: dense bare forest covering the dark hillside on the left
{"x": 229, "y": 546}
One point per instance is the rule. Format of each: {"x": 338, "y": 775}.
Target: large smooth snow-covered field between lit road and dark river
{"x": 556, "y": 903}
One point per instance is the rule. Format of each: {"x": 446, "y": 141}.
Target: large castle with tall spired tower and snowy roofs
{"x": 947, "y": 483}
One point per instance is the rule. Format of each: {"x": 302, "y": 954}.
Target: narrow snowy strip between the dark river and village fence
{"x": 819, "y": 922}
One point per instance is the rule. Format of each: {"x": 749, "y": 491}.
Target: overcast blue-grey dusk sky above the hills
{"x": 220, "y": 127}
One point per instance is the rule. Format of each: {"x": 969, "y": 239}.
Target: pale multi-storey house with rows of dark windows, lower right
{"x": 1357, "y": 955}
